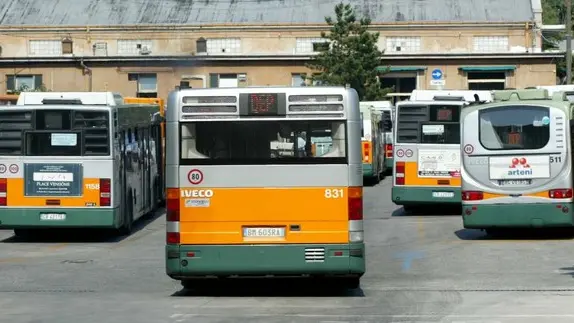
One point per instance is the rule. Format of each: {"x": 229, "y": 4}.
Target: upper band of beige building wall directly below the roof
{"x": 448, "y": 39}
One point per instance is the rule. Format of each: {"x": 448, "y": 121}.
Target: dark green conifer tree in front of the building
{"x": 350, "y": 57}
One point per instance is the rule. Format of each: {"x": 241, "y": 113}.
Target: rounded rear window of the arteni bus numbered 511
{"x": 514, "y": 127}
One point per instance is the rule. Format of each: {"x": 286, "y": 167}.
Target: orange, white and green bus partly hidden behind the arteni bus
{"x": 427, "y": 147}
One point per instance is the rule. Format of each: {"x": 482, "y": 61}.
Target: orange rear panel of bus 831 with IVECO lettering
{"x": 309, "y": 215}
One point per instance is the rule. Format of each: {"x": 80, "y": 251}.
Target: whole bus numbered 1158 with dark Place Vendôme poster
{"x": 79, "y": 160}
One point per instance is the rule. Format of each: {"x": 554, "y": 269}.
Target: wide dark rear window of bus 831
{"x": 263, "y": 142}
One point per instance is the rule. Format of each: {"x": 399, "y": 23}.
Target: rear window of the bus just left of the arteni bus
{"x": 428, "y": 124}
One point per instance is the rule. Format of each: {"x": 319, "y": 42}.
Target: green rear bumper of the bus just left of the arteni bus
{"x": 408, "y": 195}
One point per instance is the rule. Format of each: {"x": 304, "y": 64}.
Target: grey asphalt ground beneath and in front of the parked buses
{"x": 420, "y": 268}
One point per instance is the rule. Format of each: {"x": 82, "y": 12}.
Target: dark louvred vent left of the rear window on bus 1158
{"x": 12, "y": 123}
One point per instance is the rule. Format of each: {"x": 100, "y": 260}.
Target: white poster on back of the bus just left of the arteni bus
{"x": 439, "y": 163}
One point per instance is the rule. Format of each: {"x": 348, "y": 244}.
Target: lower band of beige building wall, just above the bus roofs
{"x": 527, "y": 73}
